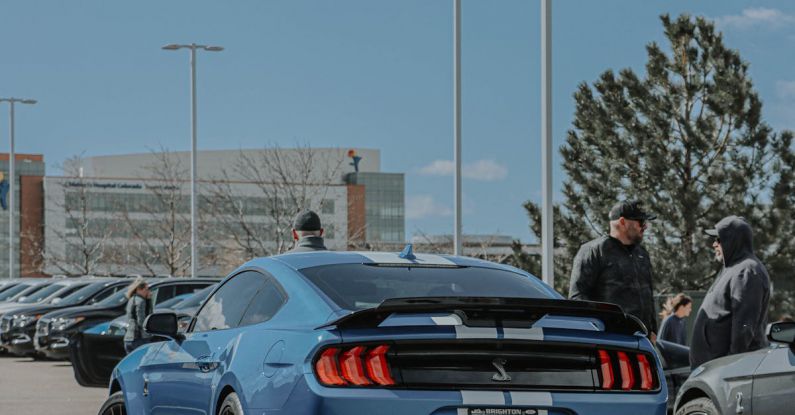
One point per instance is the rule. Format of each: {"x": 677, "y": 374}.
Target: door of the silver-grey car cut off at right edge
{"x": 774, "y": 383}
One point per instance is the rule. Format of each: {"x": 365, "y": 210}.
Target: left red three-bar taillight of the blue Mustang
{"x": 360, "y": 365}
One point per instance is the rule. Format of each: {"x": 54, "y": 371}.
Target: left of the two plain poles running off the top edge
{"x": 457, "y": 241}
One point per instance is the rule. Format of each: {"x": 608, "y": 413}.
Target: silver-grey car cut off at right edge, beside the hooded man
{"x": 754, "y": 383}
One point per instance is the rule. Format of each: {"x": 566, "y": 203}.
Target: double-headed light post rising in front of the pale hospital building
{"x": 193, "y": 172}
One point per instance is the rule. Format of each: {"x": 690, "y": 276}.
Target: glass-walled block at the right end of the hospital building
{"x": 384, "y": 199}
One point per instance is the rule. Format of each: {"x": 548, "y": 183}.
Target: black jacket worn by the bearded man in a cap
{"x": 606, "y": 270}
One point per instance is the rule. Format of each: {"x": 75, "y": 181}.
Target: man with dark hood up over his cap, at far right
{"x": 733, "y": 316}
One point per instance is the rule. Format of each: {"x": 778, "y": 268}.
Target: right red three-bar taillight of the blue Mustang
{"x": 620, "y": 370}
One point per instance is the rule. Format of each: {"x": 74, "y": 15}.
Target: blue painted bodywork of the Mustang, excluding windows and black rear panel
{"x": 270, "y": 364}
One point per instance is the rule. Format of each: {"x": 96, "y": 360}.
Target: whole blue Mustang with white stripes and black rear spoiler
{"x": 386, "y": 333}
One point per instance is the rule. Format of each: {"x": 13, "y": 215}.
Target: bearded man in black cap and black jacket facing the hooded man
{"x": 615, "y": 268}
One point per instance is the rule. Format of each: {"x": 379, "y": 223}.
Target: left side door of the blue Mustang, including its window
{"x": 182, "y": 379}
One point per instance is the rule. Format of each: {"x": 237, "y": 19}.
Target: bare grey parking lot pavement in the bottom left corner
{"x": 44, "y": 387}
